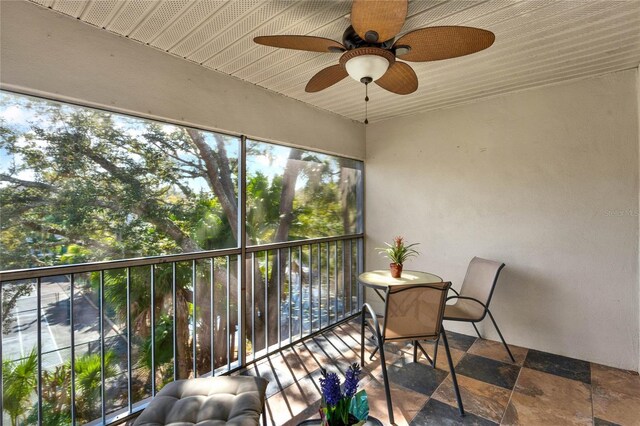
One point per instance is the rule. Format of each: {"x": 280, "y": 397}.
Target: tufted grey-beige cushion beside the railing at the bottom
{"x": 207, "y": 401}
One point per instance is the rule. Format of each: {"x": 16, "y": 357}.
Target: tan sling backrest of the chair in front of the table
{"x": 414, "y": 311}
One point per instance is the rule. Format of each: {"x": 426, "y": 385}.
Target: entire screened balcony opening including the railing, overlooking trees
{"x": 81, "y": 185}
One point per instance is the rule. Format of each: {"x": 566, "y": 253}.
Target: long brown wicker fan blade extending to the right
{"x": 435, "y": 43}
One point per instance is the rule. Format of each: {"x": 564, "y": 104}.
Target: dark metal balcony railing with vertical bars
{"x": 107, "y": 336}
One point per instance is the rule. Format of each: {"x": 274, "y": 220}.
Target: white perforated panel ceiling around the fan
{"x": 538, "y": 42}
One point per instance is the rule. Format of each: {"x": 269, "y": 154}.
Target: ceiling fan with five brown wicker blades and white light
{"x": 370, "y": 52}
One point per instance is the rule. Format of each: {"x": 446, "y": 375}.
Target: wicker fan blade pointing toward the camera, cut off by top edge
{"x": 377, "y": 21}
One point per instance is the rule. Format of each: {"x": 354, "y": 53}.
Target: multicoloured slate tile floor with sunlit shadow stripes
{"x": 538, "y": 389}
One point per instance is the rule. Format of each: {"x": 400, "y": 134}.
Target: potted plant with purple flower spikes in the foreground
{"x": 343, "y": 405}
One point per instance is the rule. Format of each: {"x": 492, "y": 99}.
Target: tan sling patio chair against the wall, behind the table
{"x": 472, "y": 302}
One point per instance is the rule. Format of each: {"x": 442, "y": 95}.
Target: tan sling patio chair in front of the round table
{"x": 412, "y": 312}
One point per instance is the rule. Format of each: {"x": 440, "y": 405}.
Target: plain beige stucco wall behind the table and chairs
{"x": 544, "y": 180}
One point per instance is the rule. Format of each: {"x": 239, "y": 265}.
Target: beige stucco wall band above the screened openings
{"x": 48, "y": 54}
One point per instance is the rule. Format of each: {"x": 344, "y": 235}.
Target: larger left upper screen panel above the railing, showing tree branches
{"x": 79, "y": 185}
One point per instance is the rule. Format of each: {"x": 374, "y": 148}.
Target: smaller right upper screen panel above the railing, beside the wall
{"x": 294, "y": 194}
